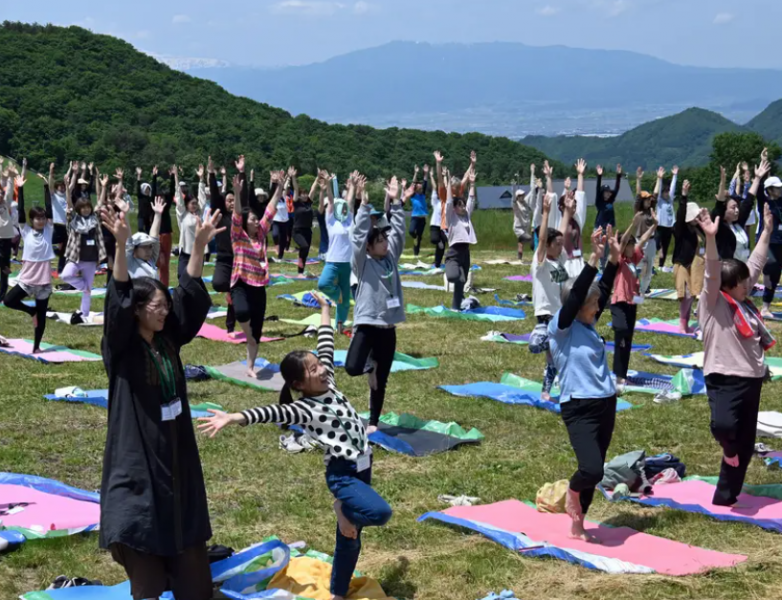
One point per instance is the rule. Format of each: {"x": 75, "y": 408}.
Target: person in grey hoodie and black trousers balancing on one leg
{"x": 377, "y": 247}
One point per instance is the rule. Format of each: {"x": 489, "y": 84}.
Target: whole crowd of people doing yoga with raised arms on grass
{"x": 154, "y": 516}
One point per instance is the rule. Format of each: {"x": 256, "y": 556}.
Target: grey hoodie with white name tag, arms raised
{"x": 379, "y": 298}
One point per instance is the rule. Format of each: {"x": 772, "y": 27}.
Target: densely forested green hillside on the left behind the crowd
{"x": 68, "y": 93}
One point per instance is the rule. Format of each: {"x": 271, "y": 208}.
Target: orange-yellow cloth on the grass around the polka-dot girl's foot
{"x": 311, "y": 578}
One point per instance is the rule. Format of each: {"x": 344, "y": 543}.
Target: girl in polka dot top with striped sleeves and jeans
{"x": 328, "y": 417}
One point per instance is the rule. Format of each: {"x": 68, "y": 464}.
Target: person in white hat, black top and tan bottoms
{"x": 688, "y": 262}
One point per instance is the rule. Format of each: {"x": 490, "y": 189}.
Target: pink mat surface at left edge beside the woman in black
{"x": 47, "y": 512}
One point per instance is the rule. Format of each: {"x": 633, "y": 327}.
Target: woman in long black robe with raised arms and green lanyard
{"x": 154, "y": 516}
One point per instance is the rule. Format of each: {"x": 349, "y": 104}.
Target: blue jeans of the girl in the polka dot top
{"x": 362, "y": 506}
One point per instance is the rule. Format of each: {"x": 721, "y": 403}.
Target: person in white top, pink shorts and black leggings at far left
{"x": 35, "y": 279}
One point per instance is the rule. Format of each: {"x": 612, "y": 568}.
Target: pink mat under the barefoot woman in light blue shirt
{"x": 664, "y": 556}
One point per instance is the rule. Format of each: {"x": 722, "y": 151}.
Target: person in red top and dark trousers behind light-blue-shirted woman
{"x": 627, "y": 297}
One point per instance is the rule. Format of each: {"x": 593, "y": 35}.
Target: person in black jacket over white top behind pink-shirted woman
{"x": 733, "y": 211}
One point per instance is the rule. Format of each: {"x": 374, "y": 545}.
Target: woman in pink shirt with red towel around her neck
{"x": 735, "y": 340}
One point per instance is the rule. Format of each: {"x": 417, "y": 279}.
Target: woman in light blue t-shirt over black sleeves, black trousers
{"x": 588, "y": 394}
